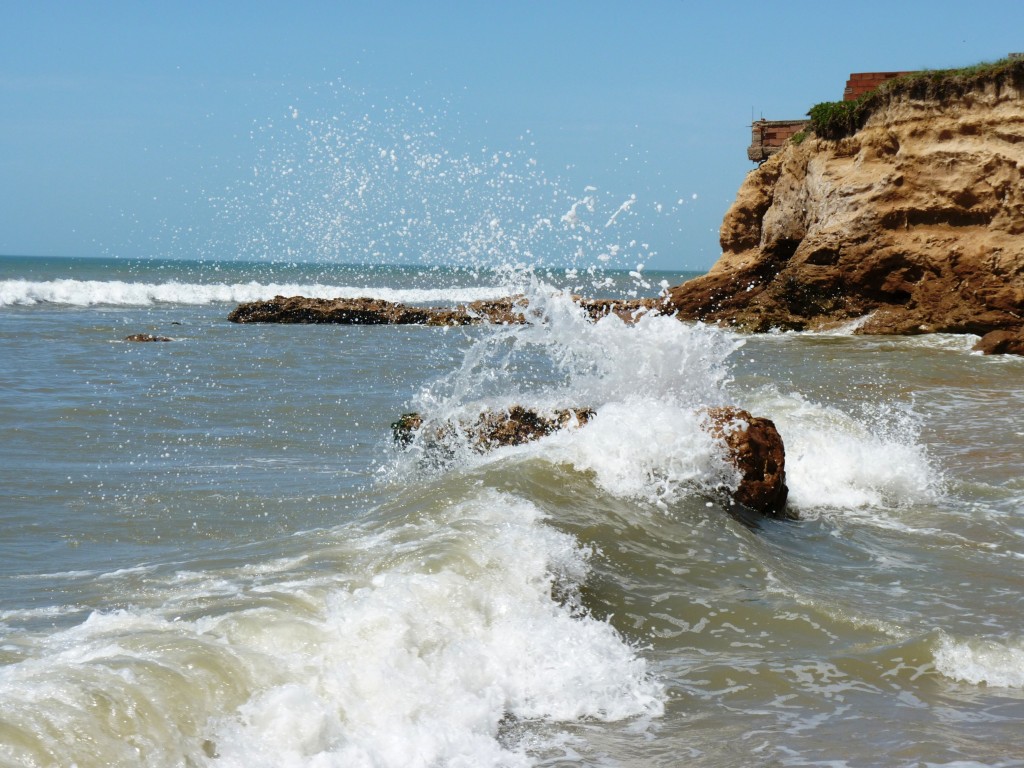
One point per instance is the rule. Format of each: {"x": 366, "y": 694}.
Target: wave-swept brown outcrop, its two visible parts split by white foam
{"x": 753, "y": 445}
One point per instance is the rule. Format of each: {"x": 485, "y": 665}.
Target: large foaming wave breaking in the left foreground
{"x": 433, "y": 633}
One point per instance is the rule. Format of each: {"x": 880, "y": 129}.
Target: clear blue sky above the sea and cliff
{"x": 138, "y": 129}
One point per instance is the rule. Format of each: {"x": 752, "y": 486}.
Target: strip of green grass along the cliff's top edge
{"x": 835, "y": 120}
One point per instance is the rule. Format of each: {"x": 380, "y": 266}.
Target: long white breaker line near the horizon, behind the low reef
{"x": 120, "y": 293}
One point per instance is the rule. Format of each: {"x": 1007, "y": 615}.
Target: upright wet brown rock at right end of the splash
{"x": 756, "y": 449}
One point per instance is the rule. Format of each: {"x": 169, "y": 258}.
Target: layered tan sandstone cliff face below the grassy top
{"x": 914, "y": 225}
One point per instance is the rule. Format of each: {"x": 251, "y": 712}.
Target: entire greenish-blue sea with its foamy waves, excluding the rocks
{"x": 212, "y": 553}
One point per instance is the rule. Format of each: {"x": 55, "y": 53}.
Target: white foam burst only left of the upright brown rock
{"x": 649, "y": 383}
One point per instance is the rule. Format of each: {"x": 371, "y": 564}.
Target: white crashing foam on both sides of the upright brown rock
{"x": 649, "y": 382}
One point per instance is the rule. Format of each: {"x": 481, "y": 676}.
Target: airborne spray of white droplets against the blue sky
{"x": 383, "y": 183}
